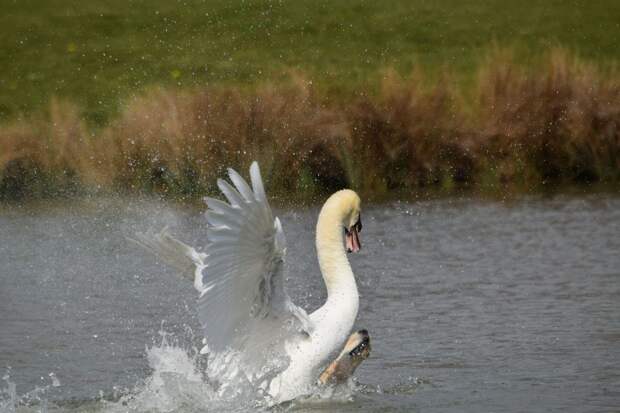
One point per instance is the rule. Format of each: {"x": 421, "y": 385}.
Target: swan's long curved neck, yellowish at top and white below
{"x": 335, "y": 267}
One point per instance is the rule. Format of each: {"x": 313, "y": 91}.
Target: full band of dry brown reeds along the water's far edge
{"x": 522, "y": 128}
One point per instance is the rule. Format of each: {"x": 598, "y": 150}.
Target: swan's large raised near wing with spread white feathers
{"x": 243, "y": 277}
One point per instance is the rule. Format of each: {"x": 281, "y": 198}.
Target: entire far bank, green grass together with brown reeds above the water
{"x": 158, "y": 97}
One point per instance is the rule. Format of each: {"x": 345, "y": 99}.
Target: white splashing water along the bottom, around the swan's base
{"x": 179, "y": 381}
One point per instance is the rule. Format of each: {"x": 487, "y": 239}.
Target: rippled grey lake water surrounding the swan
{"x": 472, "y": 306}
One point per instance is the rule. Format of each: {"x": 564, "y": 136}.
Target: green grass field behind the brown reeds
{"x": 99, "y": 53}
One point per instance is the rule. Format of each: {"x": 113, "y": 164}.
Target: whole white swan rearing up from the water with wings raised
{"x": 246, "y": 315}
